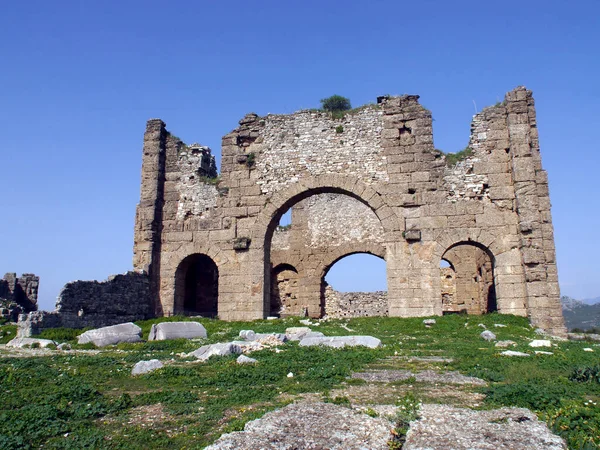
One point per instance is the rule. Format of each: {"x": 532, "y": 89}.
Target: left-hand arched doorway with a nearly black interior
{"x": 197, "y": 286}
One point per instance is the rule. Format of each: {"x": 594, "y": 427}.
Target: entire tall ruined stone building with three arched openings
{"x": 369, "y": 182}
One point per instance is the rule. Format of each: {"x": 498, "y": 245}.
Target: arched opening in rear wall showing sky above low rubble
{"x": 355, "y": 286}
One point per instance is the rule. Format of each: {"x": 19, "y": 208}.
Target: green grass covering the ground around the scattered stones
{"x": 79, "y": 400}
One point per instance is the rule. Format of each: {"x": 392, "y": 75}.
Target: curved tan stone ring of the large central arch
{"x": 281, "y": 201}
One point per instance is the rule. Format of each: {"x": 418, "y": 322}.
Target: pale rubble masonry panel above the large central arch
{"x": 310, "y": 143}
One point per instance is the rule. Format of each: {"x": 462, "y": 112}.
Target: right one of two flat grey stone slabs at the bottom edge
{"x": 447, "y": 427}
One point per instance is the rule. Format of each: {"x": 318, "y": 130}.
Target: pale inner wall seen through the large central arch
{"x": 322, "y": 221}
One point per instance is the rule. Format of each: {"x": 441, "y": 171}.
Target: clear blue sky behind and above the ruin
{"x": 79, "y": 79}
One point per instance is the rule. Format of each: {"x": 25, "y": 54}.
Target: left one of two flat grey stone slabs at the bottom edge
{"x": 309, "y": 426}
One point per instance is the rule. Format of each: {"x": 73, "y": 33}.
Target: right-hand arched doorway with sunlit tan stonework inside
{"x": 467, "y": 279}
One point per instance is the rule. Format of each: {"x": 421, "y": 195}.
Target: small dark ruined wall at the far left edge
{"x": 18, "y": 295}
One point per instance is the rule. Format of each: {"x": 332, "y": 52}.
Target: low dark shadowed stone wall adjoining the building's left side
{"x": 80, "y": 304}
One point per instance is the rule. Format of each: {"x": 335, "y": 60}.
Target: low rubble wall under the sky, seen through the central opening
{"x": 342, "y": 305}
